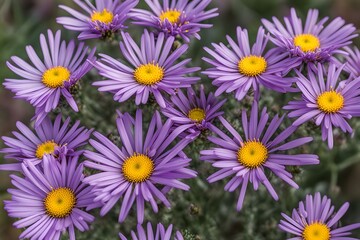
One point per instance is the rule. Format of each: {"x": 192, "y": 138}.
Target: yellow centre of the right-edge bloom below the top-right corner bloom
{"x": 330, "y": 101}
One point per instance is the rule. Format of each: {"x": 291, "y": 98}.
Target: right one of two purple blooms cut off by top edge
{"x": 176, "y": 17}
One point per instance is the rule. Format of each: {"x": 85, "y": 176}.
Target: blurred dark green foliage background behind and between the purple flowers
{"x": 206, "y": 212}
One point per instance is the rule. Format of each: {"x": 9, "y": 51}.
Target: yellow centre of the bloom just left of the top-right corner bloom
{"x": 252, "y": 65}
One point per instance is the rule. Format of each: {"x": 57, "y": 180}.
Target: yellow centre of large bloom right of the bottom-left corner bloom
{"x": 137, "y": 168}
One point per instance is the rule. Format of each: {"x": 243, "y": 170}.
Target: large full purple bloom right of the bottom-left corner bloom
{"x": 143, "y": 164}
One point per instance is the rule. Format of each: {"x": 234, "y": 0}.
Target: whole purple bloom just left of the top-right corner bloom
{"x": 241, "y": 67}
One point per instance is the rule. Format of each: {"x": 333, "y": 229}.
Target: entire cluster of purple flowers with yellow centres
{"x": 53, "y": 195}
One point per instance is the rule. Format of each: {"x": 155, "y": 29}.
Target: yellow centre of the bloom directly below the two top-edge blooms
{"x": 149, "y": 74}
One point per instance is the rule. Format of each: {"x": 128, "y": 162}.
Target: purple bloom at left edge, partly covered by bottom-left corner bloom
{"x": 49, "y": 139}
